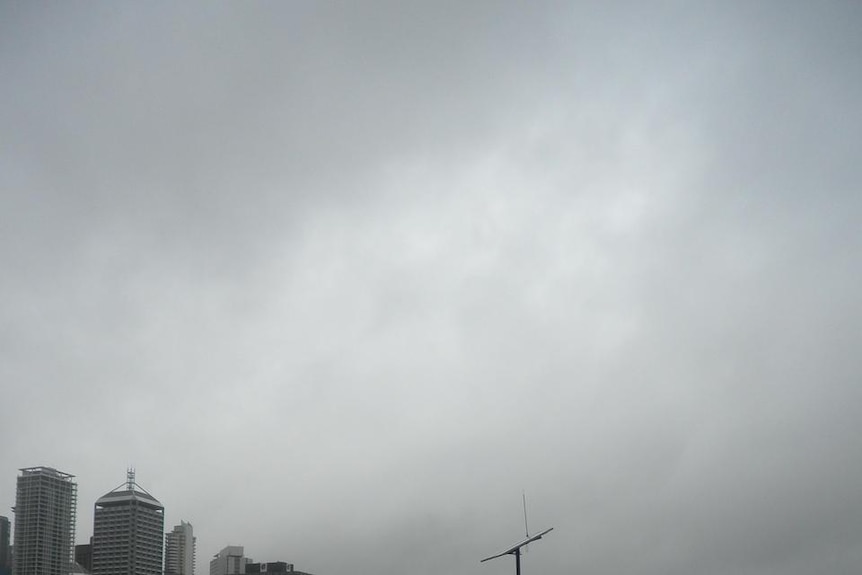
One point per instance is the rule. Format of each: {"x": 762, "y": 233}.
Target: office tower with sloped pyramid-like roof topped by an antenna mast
{"x": 128, "y": 528}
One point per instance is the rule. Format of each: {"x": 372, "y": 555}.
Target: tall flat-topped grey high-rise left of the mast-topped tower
{"x": 45, "y": 506}
